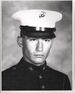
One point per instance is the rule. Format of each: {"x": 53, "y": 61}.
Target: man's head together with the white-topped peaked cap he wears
{"x": 37, "y": 33}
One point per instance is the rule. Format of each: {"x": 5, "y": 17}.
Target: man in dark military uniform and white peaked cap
{"x": 36, "y": 38}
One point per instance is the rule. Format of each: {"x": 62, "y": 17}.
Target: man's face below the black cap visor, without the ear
{"x": 36, "y": 50}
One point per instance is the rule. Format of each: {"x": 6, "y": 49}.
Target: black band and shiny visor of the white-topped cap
{"x": 32, "y": 32}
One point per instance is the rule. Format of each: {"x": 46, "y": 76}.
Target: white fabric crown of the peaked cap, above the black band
{"x": 38, "y": 18}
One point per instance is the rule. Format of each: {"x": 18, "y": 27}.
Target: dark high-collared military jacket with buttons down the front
{"x": 26, "y": 76}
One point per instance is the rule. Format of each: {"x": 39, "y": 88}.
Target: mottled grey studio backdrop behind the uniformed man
{"x": 60, "y": 57}
